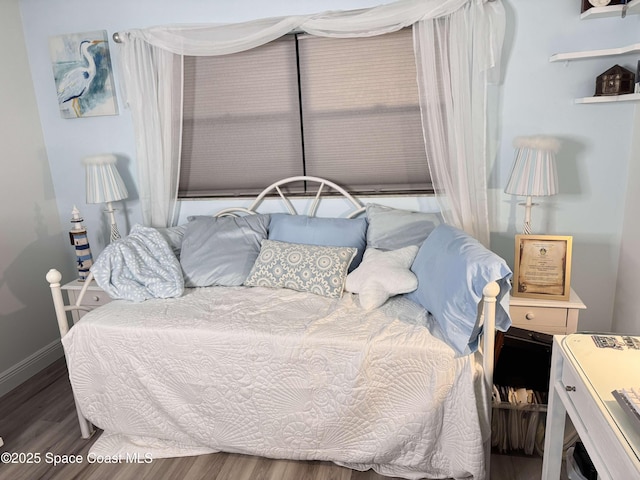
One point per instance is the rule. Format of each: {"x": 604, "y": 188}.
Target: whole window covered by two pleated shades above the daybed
{"x": 342, "y": 109}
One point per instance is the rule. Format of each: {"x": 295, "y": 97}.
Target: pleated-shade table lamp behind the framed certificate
{"x": 534, "y": 172}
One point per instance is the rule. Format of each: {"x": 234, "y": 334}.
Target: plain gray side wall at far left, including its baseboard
{"x": 31, "y": 237}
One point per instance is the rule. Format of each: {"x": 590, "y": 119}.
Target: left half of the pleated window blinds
{"x": 241, "y": 121}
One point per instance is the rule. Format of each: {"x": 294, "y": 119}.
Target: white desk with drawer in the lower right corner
{"x": 582, "y": 379}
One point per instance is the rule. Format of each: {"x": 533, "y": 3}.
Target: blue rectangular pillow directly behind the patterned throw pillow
{"x": 327, "y": 232}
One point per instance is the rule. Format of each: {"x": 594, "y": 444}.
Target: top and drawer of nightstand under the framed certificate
{"x": 555, "y": 317}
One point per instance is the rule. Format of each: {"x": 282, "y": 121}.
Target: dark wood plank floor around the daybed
{"x": 39, "y": 418}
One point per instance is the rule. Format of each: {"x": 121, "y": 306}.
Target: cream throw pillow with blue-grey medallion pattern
{"x": 305, "y": 268}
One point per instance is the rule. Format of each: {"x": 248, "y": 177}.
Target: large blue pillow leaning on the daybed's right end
{"x": 452, "y": 269}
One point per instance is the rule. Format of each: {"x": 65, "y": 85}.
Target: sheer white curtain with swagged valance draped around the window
{"x": 152, "y": 73}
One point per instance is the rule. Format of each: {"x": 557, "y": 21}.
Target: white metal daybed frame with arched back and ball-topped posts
{"x": 488, "y": 312}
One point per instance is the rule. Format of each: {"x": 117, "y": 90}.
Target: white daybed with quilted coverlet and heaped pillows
{"x": 301, "y": 373}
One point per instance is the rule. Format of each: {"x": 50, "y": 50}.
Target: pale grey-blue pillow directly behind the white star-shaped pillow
{"x": 392, "y": 228}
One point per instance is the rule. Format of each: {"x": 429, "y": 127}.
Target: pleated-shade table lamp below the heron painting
{"x": 105, "y": 185}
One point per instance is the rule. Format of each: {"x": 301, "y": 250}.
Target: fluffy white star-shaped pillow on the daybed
{"x": 383, "y": 274}
